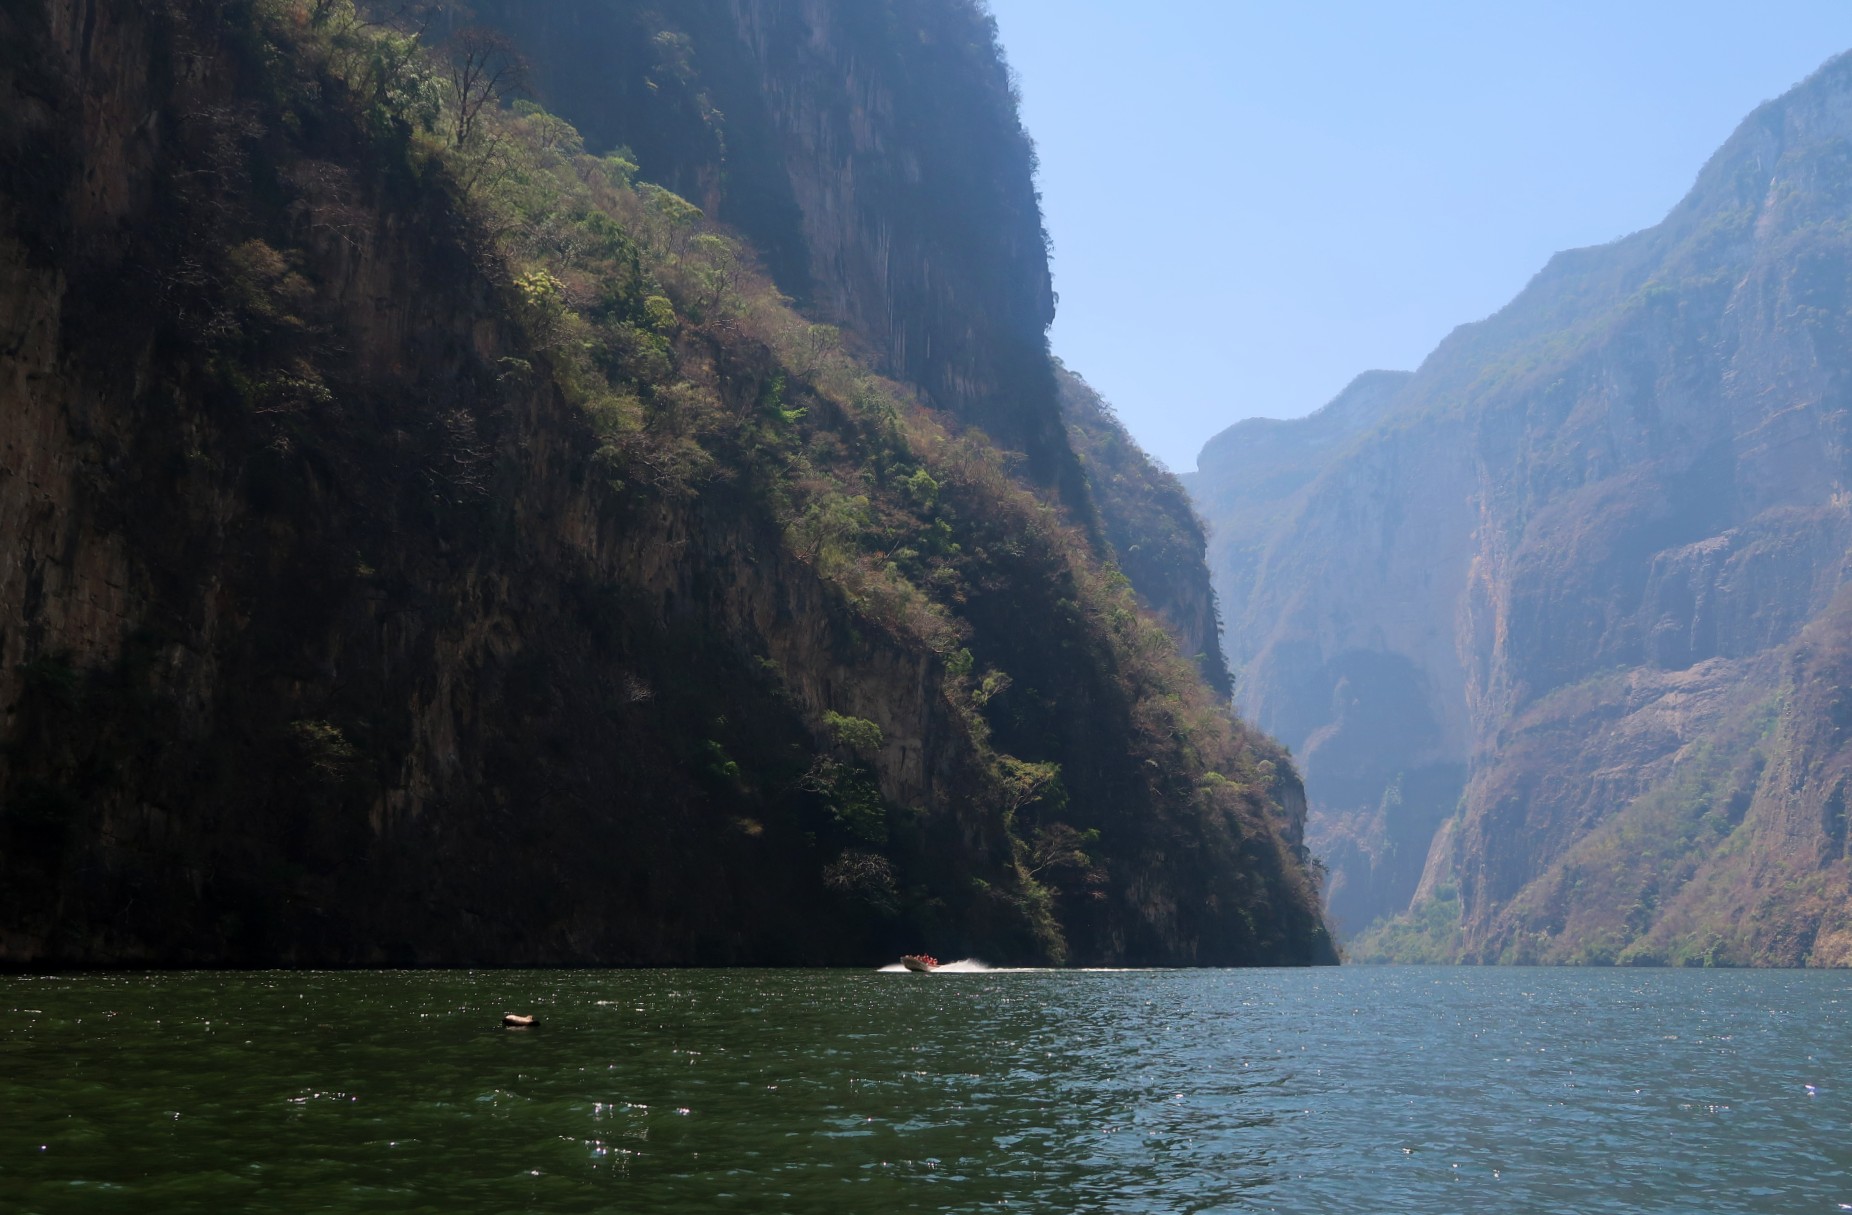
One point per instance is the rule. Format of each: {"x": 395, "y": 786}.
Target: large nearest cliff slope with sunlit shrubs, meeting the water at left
{"x": 418, "y": 557}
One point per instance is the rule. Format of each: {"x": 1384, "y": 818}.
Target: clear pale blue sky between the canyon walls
{"x": 1253, "y": 203}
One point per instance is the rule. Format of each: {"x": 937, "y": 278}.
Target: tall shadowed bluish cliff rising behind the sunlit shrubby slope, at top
{"x": 871, "y": 149}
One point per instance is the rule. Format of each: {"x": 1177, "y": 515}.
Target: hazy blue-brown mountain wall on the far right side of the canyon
{"x": 1588, "y": 560}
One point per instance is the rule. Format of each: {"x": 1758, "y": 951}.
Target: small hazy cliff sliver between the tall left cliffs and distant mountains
{"x": 1151, "y": 527}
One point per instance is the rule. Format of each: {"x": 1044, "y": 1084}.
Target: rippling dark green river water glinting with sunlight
{"x": 1355, "y": 1090}
